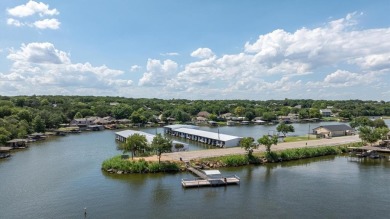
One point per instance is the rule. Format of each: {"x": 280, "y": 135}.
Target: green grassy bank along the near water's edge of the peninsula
{"x": 126, "y": 166}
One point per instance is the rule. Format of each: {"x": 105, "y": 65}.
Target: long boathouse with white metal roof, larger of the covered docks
{"x": 190, "y": 132}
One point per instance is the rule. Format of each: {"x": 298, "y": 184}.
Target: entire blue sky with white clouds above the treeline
{"x": 196, "y": 49}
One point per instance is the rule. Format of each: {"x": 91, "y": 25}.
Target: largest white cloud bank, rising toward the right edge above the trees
{"x": 306, "y": 59}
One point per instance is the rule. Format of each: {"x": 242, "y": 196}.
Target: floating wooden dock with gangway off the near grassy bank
{"x": 208, "y": 178}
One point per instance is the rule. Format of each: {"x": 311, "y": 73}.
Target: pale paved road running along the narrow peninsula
{"x": 190, "y": 155}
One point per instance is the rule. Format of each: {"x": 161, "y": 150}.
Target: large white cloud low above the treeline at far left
{"x": 40, "y": 67}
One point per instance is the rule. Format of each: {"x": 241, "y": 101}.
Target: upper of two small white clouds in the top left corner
{"x": 31, "y": 8}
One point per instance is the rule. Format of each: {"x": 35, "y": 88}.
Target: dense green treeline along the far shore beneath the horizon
{"x": 21, "y": 115}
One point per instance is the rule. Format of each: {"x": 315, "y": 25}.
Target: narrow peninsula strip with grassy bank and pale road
{"x": 174, "y": 161}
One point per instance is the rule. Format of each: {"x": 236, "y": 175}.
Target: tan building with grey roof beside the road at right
{"x": 328, "y": 131}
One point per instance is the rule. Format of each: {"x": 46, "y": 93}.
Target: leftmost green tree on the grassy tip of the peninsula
{"x": 134, "y": 143}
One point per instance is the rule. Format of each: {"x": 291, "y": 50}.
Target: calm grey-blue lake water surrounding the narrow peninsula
{"x": 58, "y": 177}
